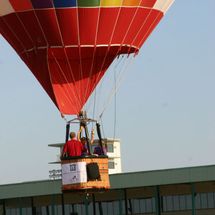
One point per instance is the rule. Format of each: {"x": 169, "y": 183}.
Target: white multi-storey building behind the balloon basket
{"x": 113, "y": 152}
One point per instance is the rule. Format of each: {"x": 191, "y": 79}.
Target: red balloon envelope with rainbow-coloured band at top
{"x": 68, "y": 45}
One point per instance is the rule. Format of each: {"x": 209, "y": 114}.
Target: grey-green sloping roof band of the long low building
{"x": 117, "y": 181}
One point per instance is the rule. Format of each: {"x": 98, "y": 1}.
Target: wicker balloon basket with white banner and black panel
{"x": 90, "y": 166}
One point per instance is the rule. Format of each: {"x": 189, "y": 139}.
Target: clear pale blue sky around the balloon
{"x": 165, "y": 107}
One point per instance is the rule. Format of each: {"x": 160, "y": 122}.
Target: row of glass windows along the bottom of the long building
{"x": 134, "y": 206}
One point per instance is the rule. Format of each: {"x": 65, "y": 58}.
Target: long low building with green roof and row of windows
{"x": 182, "y": 191}
